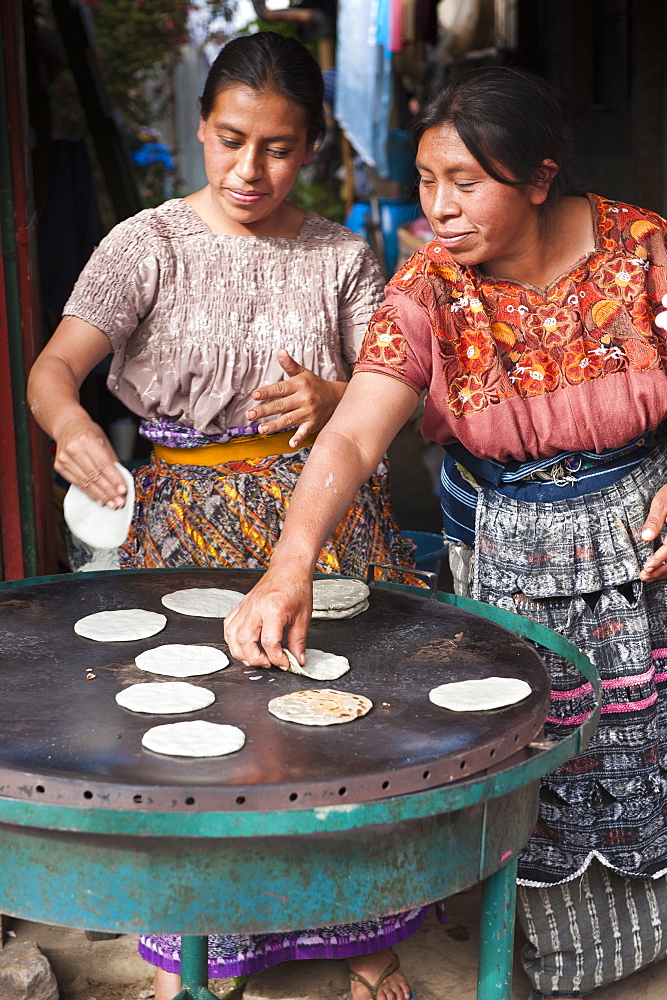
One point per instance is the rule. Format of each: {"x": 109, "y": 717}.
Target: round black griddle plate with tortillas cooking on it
{"x": 63, "y": 738}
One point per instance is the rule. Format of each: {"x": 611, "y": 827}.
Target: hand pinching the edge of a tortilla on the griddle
{"x": 254, "y": 630}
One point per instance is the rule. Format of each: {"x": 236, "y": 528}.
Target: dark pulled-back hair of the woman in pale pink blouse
{"x": 269, "y": 61}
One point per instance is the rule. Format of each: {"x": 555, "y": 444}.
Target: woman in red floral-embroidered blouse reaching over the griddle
{"x": 530, "y": 320}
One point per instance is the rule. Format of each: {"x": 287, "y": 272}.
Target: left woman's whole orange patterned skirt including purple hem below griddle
{"x": 231, "y": 516}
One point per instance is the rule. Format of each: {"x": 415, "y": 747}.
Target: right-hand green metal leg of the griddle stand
{"x": 496, "y": 934}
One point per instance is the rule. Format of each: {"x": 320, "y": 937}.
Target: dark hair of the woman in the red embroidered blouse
{"x": 508, "y": 119}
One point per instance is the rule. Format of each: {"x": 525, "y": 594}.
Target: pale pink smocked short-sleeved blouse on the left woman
{"x": 195, "y": 319}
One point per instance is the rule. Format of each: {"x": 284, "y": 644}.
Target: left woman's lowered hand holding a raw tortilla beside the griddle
{"x": 85, "y": 457}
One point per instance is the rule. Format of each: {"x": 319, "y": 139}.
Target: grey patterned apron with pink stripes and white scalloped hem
{"x": 573, "y": 566}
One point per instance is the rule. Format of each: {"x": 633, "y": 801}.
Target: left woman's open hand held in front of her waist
{"x": 304, "y": 399}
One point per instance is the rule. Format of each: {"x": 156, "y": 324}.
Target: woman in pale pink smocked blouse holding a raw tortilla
{"x": 232, "y": 317}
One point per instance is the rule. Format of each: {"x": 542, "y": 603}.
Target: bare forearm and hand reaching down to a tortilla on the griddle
{"x": 347, "y": 451}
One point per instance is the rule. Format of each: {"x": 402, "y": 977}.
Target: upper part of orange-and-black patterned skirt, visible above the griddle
{"x": 231, "y": 516}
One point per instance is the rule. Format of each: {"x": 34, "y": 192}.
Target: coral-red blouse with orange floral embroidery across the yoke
{"x": 517, "y": 372}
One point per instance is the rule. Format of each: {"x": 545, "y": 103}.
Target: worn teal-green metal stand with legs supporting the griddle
{"x": 279, "y": 868}
